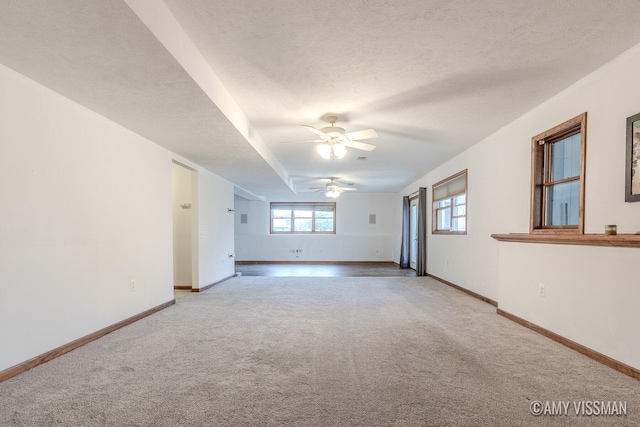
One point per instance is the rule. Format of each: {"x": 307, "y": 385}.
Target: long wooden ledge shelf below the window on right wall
{"x": 619, "y": 240}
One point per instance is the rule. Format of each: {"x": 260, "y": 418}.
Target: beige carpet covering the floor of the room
{"x": 270, "y": 351}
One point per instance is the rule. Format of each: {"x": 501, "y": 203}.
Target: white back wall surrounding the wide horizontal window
{"x": 355, "y": 238}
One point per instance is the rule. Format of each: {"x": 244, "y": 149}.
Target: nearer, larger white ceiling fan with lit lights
{"x": 335, "y": 140}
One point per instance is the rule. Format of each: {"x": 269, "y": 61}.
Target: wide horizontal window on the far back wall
{"x": 303, "y": 218}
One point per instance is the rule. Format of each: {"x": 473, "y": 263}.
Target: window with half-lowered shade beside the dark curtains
{"x": 450, "y": 205}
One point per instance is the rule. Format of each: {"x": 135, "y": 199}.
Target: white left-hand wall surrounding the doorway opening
{"x": 86, "y": 208}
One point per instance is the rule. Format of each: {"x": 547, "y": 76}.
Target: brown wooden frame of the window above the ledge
{"x": 540, "y": 182}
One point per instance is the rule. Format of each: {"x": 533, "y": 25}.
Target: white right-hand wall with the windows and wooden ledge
{"x": 591, "y": 291}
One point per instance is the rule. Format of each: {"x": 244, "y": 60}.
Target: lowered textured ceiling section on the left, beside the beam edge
{"x": 100, "y": 55}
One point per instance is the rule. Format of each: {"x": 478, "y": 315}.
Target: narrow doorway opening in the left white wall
{"x": 184, "y": 186}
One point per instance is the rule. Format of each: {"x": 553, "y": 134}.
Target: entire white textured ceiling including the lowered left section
{"x": 431, "y": 77}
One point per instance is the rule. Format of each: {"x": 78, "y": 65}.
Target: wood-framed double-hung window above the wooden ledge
{"x": 557, "y": 178}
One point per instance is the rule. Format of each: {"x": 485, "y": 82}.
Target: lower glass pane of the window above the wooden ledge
{"x": 562, "y": 203}
